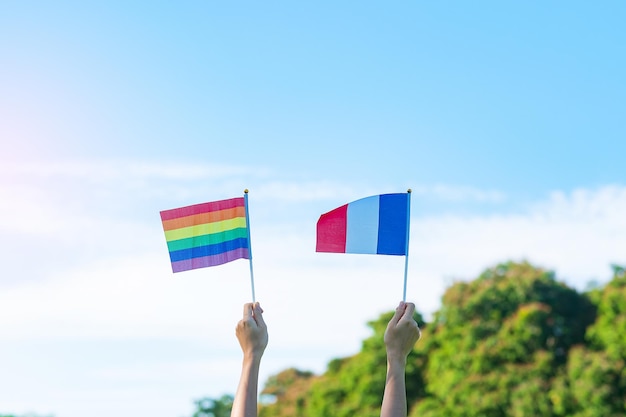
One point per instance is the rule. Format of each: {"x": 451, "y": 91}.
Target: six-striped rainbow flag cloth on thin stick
{"x": 207, "y": 234}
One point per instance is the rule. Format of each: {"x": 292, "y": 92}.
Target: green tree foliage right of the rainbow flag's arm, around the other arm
{"x": 513, "y": 342}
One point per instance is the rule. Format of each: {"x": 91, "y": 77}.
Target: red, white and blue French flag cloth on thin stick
{"x": 373, "y": 225}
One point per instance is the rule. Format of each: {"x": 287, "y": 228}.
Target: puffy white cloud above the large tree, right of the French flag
{"x": 578, "y": 235}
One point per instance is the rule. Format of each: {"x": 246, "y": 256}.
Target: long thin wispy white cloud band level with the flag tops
{"x": 182, "y": 181}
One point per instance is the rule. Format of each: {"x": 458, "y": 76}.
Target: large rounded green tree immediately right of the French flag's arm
{"x": 498, "y": 341}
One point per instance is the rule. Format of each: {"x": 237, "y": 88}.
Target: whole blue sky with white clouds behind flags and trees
{"x": 505, "y": 119}
